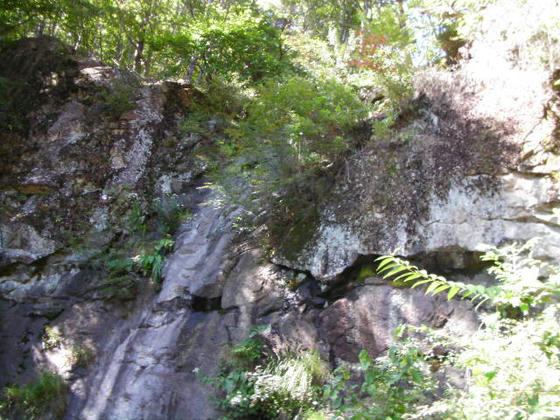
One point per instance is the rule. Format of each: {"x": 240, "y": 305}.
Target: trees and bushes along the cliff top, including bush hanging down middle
{"x": 285, "y": 83}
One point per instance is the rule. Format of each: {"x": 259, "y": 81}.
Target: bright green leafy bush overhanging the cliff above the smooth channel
{"x": 293, "y": 128}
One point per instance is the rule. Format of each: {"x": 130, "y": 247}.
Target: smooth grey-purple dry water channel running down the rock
{"x": 141, "y": 375}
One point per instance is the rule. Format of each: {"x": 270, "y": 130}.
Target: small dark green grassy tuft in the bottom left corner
{"x": 36, "y": 400}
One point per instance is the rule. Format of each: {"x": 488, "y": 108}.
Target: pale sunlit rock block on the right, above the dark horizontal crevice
{"x": 474, "y": 164}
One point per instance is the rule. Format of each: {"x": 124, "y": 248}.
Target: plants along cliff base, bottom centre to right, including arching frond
{"x": 512, "y": 363}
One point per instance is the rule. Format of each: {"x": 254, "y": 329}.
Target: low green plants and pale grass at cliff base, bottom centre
{"x": 260, "y": 385}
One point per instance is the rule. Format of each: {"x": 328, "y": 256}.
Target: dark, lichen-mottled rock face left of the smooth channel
{"x": 80, "y": 147}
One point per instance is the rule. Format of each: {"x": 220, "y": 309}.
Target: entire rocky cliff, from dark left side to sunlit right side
{"x": 79, "y": 168}
